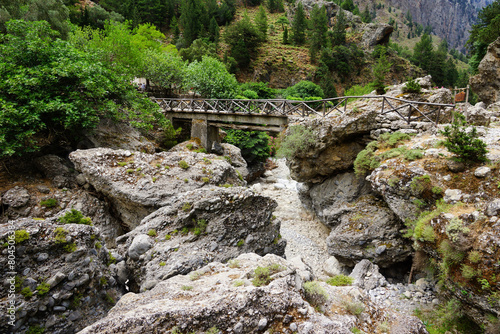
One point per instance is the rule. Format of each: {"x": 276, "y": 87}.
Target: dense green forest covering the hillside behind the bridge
{"x": 66, "y": 64}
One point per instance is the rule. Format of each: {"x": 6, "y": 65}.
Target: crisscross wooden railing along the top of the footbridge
{"x": 407, "y": 110}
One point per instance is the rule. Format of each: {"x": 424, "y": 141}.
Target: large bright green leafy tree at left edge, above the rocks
{"x": 49, "y": 87}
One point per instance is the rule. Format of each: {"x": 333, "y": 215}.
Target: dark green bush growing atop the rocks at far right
{"x": 464, "y": 144}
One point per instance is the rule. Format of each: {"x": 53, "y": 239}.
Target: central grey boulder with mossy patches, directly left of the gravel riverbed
{"x": 196, "y": 228}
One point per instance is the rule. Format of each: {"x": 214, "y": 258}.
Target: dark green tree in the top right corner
{"x": 484, "y": 32}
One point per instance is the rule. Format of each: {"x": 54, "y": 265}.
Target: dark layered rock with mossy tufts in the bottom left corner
{"x": 61, "y": 279}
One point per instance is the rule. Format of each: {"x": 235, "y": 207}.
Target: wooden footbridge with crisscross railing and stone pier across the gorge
{"x": 208, "y": 115}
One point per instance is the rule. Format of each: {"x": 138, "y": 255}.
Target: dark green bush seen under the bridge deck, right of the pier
{"x": 254, "y": 145}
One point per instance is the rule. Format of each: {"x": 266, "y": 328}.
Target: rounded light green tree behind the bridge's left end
{"x": 210, "y": 79}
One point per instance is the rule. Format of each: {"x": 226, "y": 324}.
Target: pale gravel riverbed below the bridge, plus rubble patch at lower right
{"x": 306, "y": 237}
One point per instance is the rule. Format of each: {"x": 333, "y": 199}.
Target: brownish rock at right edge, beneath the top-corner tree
{"x": 486, "y": 84}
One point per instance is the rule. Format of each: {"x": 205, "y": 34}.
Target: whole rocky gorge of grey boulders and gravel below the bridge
{"x": 117, "y": 238}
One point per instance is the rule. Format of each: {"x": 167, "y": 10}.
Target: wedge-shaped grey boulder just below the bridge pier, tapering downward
{"x": 139, "y": 183}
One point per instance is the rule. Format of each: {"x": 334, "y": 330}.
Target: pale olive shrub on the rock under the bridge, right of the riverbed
{"x": 299, "y": 138}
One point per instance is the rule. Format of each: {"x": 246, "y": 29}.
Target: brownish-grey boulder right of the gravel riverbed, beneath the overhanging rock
{"x": 362, "y": 226}
